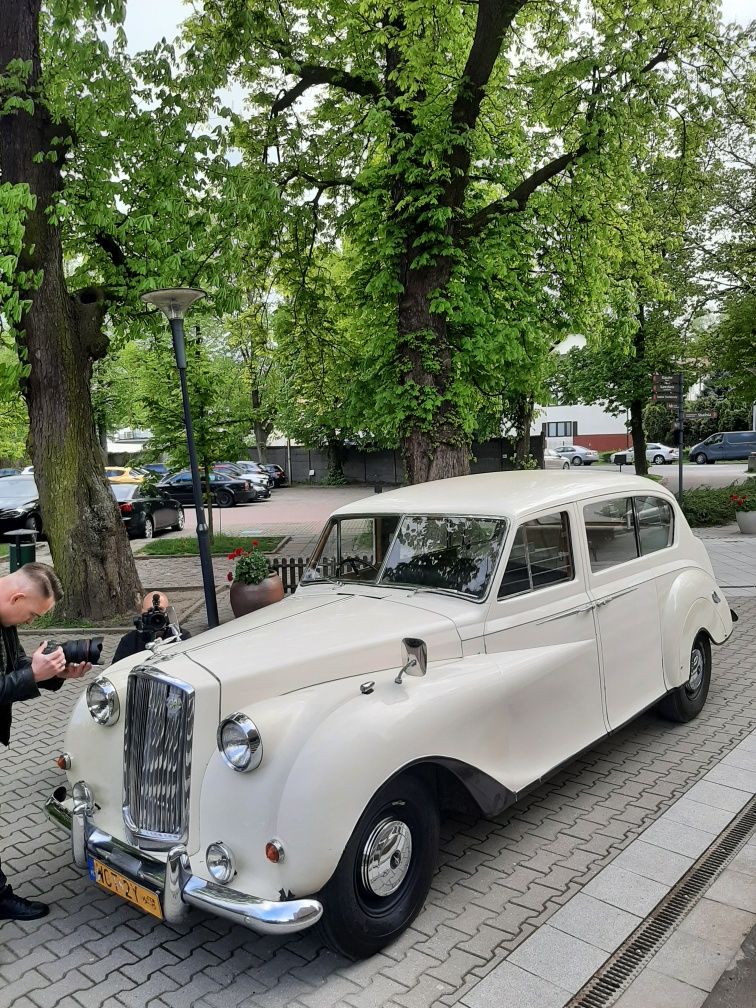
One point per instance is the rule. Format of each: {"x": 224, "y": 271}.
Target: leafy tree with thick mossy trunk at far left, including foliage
{"x": 107, "y": 165}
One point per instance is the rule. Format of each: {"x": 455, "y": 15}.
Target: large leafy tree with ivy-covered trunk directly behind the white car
{"x": 468, "y": 153}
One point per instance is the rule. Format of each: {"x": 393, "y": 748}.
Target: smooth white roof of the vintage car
{"x": 506, "y": 494}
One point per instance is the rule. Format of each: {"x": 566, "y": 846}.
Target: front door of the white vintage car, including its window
{"x": 543, "y": 616}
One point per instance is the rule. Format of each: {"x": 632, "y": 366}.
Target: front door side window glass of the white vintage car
{"x": 542, "y": 556}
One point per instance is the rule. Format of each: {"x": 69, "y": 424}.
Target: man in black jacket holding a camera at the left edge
{"x": 26, "y": 595}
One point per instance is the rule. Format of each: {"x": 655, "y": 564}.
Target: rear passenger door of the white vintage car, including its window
{"x": 622, "y": 586}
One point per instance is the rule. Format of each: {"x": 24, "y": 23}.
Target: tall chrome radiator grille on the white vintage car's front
{"x": 158, "y": 759}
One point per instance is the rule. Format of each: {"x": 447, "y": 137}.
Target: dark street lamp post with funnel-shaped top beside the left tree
{"x": 174, "y": 303}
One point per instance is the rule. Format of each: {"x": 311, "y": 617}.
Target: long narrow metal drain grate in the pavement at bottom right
{"x": 616, "y": 975}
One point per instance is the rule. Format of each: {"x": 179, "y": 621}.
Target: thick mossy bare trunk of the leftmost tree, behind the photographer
{"x": 60, "y": 336}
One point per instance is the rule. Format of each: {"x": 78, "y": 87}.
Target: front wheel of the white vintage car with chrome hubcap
{"x": 357, "y": 922}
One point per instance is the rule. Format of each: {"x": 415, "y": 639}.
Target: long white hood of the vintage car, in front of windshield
{"x": 305, "y": 641}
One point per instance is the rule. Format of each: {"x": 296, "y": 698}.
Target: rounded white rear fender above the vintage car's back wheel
{"x": 691, "y": 608}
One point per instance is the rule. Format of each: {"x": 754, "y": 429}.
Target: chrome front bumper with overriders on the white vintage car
{"x": 172, "y": 880}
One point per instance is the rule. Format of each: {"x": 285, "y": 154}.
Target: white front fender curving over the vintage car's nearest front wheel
{"x": 327, "y": 750}
